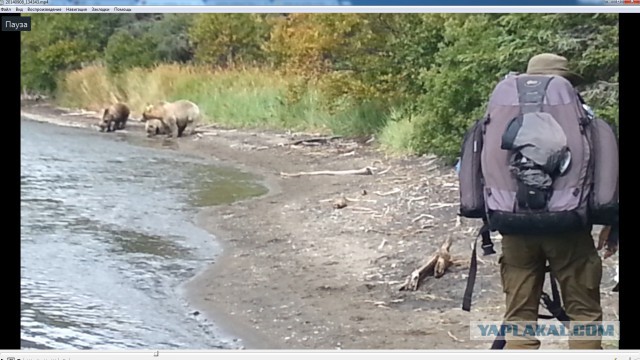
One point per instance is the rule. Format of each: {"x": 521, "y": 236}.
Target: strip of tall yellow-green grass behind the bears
{"x": 240, "y": 98}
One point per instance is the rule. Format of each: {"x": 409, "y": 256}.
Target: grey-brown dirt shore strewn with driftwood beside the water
{"x": 299, "y": 273}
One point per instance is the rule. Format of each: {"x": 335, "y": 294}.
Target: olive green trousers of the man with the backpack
{"x": 573, "y": 260}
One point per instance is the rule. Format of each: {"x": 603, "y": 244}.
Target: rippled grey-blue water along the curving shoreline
{"x": 107, "y": 239}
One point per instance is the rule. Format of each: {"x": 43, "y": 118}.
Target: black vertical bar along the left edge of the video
{"x": 10, "y": 105}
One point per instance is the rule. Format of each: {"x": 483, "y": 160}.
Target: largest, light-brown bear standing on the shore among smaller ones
{"x": 175, "y": 116}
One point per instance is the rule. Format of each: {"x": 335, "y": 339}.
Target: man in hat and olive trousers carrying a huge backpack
{"x": 540, "y": 169}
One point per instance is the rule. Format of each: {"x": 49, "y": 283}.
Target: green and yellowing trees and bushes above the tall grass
{"x": 429, "y": 74}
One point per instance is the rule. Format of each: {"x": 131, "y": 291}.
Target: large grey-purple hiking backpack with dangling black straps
{"x": 538, "y": 162}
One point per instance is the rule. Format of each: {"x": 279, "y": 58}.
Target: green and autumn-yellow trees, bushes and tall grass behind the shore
{"x": 416, "y": 81}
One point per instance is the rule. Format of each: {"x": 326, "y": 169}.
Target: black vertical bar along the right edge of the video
{"x": 629, "y": 310}
